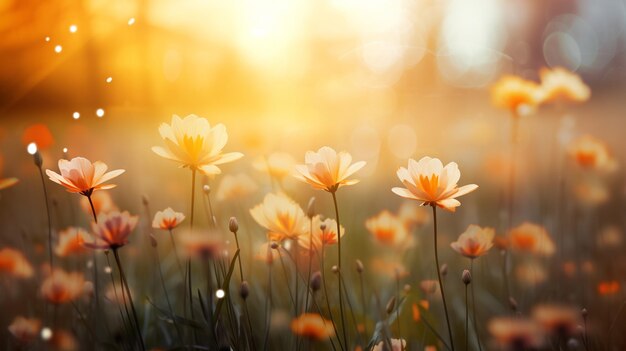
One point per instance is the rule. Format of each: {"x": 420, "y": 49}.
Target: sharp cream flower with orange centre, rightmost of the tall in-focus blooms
{"x": 427, "y": 180}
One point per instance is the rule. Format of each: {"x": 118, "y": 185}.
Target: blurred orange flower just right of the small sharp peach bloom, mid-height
{"x": 531, "y": 238}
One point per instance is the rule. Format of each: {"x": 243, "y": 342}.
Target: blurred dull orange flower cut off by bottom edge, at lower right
{"x": 516, "y": 333}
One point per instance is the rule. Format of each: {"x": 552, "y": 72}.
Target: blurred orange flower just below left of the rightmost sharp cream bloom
{"x": 387, "y": 229}
